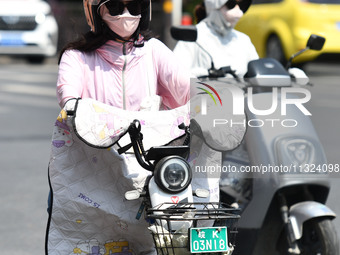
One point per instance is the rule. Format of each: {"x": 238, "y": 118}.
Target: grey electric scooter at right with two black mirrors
{"x": 279, "y": 175}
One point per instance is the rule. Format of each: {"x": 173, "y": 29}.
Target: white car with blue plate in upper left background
{"x": 27, "y": 29}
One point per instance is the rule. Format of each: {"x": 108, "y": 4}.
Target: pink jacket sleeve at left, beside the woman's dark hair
{"x": 70, "y": 77}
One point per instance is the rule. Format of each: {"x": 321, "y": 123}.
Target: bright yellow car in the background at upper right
{"x": 280, "y": 28}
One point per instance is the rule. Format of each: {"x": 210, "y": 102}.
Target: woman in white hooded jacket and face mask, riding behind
{"x": 216, "y": 35}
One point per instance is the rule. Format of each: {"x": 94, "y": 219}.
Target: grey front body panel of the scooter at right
{"x": 267, "y": 140}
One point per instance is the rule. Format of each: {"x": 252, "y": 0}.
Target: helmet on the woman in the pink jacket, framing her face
{"x": 94, "y": 19}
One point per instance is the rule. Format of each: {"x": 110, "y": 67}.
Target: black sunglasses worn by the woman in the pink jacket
{"x": 117, "y": 7}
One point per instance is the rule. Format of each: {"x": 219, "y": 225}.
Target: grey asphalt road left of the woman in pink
{"x": 28, "y": 109}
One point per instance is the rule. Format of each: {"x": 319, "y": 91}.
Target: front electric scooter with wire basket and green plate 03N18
{"x": 175, "y": 219}
